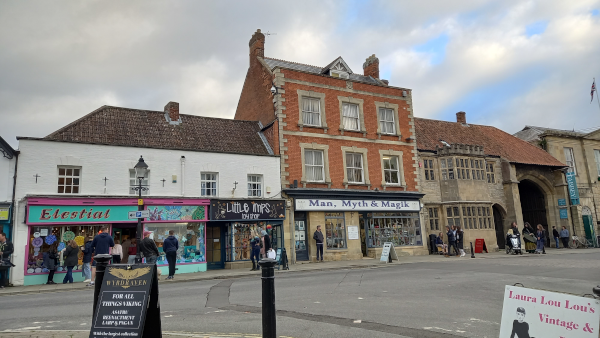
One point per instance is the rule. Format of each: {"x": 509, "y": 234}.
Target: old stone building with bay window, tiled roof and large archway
{"x": 483, "y": 179}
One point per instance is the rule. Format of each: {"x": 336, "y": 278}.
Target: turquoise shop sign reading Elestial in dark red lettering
{"x": 78, "y": 214}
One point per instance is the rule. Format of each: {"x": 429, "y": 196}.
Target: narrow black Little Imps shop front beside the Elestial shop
{"x": 233, "y": 224}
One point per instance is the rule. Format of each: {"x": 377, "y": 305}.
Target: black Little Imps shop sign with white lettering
{"x": 247, "y": 209}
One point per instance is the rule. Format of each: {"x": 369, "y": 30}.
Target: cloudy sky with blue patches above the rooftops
{"x": 506, "y": 63}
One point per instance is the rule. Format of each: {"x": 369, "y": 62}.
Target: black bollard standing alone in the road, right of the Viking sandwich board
{"x": 268, "y": 285}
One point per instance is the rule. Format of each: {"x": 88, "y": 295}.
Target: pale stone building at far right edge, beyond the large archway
{"x": 580, "y": 151}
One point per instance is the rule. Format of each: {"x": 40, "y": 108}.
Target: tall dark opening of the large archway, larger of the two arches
{"x": 533, "y": 205}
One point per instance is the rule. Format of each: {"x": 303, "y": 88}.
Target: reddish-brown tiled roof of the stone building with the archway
{"x": 495, "y": 142}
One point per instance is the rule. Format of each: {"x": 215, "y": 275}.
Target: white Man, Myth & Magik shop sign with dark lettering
{"x": 356, "y": 205}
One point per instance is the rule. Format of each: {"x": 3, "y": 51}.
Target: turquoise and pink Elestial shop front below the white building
{"x": 54, "y": 222}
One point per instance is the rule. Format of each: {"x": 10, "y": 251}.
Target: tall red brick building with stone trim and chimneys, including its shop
{"x": 348, "y": 154}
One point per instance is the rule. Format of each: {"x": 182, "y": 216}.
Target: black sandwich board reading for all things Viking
{"x": 128, "y": 304}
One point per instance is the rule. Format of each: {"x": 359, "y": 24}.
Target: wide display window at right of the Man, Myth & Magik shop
{"x": 402, "y": 229}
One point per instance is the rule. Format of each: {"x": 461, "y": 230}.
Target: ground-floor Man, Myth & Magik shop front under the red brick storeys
{"x": 356, "y": 224}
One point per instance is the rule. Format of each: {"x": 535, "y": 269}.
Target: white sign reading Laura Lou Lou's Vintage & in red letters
{"x": 544, "y": 314}
